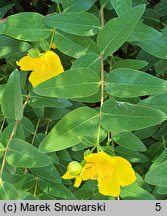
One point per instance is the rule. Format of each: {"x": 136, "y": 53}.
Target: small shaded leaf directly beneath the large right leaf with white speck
{"x": 129, "y": 140}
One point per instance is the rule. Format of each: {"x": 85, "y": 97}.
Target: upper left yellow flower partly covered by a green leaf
{"x": 43, "y": 67}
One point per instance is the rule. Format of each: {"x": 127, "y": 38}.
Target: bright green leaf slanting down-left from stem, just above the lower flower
{"x": 80, "y": 122}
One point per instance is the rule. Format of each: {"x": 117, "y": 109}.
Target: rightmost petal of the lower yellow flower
{"x": 125, "y": 172}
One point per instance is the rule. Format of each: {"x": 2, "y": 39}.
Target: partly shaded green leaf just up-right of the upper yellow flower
{"x": 75, "y": 46}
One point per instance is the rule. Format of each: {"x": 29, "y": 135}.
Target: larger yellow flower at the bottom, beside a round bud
{"x": 111, "y": 172}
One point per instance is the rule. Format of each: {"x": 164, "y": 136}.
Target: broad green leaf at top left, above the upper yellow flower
{"x": 27, "y": 26}
